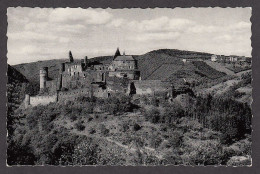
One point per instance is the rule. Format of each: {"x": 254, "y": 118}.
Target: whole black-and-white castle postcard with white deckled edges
{"x": 129, "y": 87}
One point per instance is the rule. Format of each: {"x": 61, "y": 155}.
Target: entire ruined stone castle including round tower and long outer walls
{"x": 95, "y": 79}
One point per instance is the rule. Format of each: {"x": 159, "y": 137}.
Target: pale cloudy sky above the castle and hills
{"x": 50, "y": 33}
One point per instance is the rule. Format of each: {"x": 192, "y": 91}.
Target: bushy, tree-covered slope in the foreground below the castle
{"x": 93, "y": 131}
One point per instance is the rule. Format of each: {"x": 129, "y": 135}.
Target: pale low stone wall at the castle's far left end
{"x": 42, "y": 100}
